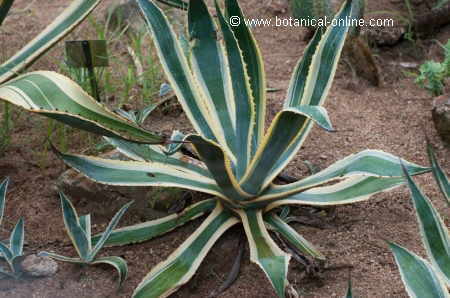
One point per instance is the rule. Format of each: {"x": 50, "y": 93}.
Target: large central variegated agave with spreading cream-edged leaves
{"x": 222, "y": 89}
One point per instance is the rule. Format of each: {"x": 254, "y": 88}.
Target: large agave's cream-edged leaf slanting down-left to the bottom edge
{"x": 181, "y": 265}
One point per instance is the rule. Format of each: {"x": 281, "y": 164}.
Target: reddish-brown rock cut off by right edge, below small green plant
{"x": 441, "y": 117}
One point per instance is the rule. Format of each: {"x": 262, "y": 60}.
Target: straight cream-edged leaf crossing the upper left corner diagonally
{"x": 61, "y": 26}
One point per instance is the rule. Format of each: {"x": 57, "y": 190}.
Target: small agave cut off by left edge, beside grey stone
{"x": 12, "y": 251}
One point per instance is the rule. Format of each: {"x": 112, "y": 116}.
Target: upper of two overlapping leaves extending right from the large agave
{"x": 367, "y": 162}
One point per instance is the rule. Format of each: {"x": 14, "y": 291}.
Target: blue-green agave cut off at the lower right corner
{"x": 420, "y": 277}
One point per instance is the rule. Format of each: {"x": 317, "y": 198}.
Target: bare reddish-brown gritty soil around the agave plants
{"x": 393, "y": 118}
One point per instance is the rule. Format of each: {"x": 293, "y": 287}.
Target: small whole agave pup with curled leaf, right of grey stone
{"x": 79, "y": 231}
